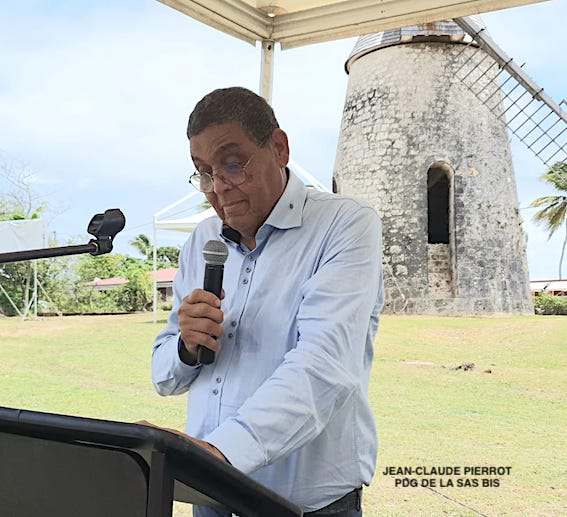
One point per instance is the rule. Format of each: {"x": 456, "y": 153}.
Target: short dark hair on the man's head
{"x": 234, "y": 104}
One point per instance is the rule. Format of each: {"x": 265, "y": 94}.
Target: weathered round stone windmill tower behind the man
{"x": 431, "y": 157}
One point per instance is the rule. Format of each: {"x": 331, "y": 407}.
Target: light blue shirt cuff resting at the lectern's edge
{"x": 239, "y": 447}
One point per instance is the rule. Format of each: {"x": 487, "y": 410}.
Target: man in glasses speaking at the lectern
{"x": 283, "y": 394}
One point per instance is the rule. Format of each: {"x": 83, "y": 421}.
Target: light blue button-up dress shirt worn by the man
{"x": 286, "y": 398}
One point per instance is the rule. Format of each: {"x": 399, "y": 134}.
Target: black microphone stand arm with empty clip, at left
{"x": 103, "y": 227}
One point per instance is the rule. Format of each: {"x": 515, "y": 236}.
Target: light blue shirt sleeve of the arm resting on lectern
{"x": 337, "y": 321}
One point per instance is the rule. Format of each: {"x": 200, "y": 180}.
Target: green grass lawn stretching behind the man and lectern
{"x": 507, "y": 411}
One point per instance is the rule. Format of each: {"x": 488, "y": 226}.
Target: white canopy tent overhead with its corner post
{"x": 293, "y": 23}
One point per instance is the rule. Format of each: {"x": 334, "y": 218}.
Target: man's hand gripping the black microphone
{"x": 200, "y": 318}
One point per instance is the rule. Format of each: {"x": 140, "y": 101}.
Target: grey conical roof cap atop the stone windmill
{"x": 444, "y": 30}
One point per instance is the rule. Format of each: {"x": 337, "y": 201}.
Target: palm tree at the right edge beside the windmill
{"x": 554, "y": 213}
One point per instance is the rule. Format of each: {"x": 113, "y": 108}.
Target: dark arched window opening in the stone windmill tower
{"x": 438, "y": 189}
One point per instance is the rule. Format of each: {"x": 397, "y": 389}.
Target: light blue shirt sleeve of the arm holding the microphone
{"x": 170, "y": 375}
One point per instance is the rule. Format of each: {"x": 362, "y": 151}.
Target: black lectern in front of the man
{"x": 67, "y": 466}
